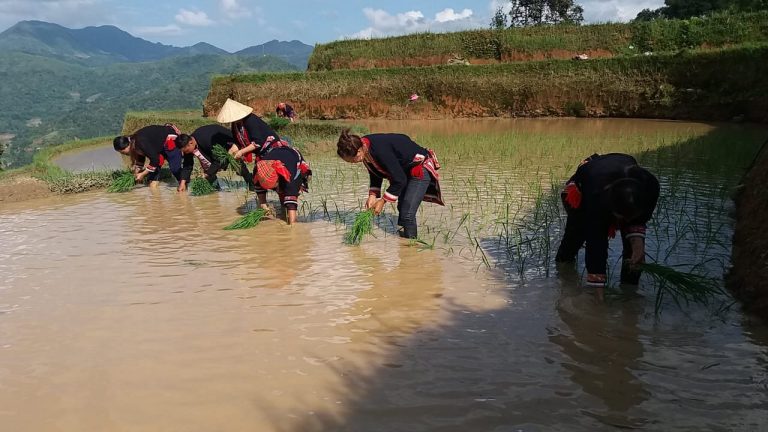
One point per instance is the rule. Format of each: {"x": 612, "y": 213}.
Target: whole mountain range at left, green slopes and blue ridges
{"x": 60, "y": 83}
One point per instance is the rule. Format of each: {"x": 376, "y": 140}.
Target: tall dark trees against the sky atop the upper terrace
{"x": 523, "y": 13}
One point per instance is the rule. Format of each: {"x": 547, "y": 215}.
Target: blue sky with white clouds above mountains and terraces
{"x": 236, "y": 24}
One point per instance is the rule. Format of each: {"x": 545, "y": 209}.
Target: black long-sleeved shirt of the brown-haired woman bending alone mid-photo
{"x": 393, "y": 157}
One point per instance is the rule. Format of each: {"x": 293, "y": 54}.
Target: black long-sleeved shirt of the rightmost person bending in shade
{"x": 593, "y": 179}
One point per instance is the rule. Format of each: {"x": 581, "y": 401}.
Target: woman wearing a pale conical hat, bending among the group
{"x": 249, "y": 131}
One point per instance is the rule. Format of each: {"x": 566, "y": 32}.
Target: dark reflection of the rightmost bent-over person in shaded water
{"x": 603, "y": 352}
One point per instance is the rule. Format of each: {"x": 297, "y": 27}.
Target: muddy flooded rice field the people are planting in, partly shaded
{"x": 137, "y": 312}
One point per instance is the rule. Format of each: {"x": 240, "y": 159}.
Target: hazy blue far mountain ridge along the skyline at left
{"x": 108, "y": 44}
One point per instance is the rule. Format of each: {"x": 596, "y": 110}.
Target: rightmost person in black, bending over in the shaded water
{"x": 608, "y": 192}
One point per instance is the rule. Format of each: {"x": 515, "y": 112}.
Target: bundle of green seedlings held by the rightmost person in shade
{"x": 681, "y": 286}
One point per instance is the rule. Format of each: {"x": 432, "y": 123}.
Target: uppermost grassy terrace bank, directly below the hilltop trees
{"x": 542, "y": 42}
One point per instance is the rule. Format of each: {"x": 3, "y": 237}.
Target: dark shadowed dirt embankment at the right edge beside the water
{"x": 749, "y": 278}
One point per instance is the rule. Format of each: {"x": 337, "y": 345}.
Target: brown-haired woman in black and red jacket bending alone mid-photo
{"x": 410, "y": 169}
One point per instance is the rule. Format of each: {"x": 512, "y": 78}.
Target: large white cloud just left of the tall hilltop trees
{"x": 383, "y": 23}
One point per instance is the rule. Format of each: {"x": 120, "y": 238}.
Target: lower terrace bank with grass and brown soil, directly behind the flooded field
{"x": 712, "y": 84}
